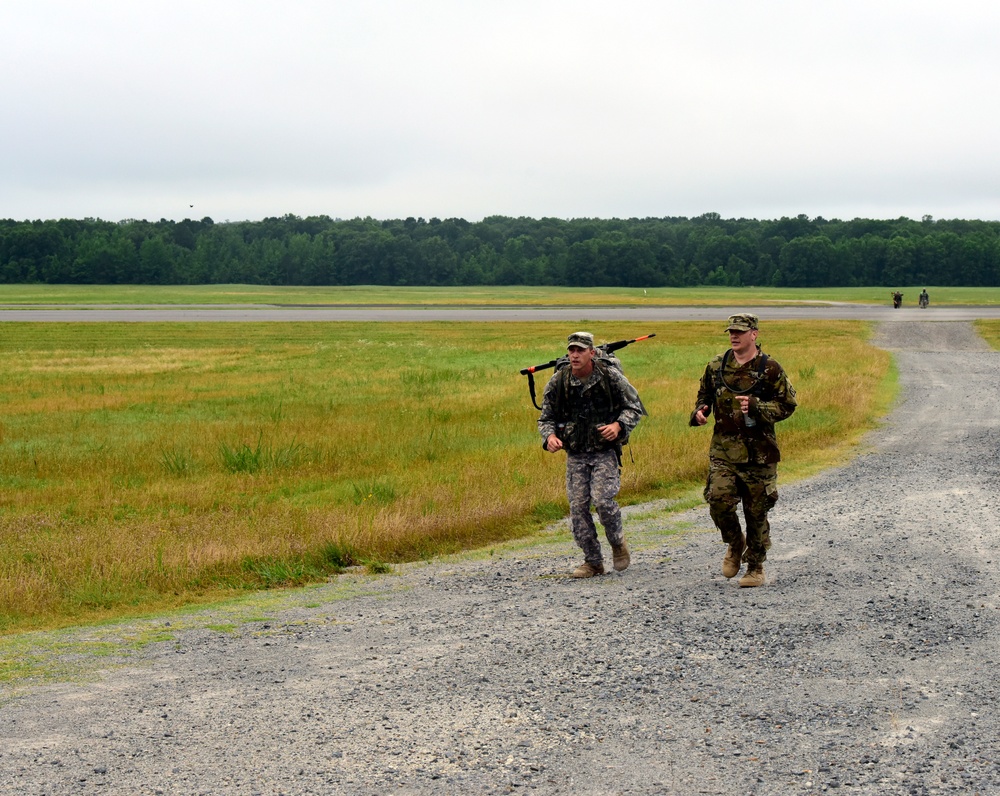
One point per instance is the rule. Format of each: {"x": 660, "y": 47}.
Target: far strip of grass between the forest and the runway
{"x": 476, "y": 296}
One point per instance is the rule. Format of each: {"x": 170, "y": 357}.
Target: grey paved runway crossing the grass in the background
{"x": 253, "y": 313}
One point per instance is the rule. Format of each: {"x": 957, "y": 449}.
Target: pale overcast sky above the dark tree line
{"x": 121, "y": 109}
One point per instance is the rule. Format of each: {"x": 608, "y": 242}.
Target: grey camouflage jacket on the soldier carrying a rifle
{"x": 572, "y": 409}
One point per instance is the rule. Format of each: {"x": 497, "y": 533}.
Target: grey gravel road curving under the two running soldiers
{"x": 866, "y": 664}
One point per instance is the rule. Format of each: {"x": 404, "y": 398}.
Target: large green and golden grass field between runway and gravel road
{"x": 144, "y": 466}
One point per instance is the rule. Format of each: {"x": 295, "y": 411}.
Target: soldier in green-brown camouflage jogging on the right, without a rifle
{"x": 748, "y": 392}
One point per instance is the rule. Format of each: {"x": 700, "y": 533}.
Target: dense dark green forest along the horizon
{"x": 590, "y": 252}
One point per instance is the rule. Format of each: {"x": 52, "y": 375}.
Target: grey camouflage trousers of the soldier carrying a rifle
{"x": 594, "y": 478}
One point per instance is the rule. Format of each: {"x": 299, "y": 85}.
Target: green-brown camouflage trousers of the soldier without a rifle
{"x": 753, "y": 485}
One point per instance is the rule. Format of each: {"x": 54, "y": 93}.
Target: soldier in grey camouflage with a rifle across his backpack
{"x": 589, "y": 410}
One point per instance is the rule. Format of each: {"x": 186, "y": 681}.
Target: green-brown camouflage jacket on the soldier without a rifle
{"x": 772, "y": 399}
